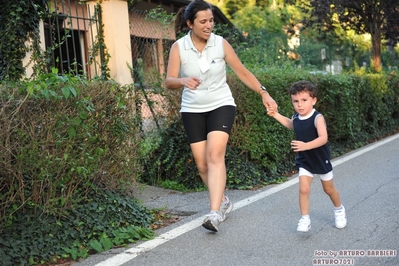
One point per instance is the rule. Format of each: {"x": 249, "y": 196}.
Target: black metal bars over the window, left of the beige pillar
{"x": 70, "y": 28}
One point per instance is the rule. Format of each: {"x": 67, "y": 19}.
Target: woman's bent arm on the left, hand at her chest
{"x": 173, "y": 81}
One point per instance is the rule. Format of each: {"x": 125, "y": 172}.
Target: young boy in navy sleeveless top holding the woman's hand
{"x": 313, "y": 153}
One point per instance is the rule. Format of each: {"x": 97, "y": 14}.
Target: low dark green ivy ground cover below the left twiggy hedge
{"x": 102, "y": 221}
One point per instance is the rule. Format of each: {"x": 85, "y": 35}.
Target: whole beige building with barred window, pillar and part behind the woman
{"x": 133, "y": 42}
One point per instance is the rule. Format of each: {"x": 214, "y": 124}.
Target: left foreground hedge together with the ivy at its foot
{"x": 68, "y": 158}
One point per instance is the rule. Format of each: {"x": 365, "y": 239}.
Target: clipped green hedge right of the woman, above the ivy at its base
{"x": 357, "y": 108}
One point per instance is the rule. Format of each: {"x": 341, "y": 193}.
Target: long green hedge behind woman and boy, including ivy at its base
{"x": 358, "y": 108}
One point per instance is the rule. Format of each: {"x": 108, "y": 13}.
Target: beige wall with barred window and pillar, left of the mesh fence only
{"x": 70, "y": 33}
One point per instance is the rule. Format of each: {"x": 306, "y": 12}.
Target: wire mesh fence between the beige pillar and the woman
{"x": 151, "y": 40}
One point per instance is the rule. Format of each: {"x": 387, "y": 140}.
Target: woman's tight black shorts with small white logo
{"x": 198, "y": 125}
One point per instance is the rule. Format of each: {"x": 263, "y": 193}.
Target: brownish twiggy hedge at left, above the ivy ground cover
{"x": 61, "y": 137}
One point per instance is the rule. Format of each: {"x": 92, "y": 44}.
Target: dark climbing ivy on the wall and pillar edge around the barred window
{"x": 19, "y": 28}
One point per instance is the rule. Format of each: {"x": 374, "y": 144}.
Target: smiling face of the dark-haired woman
{"x": 203, "y": 24}
